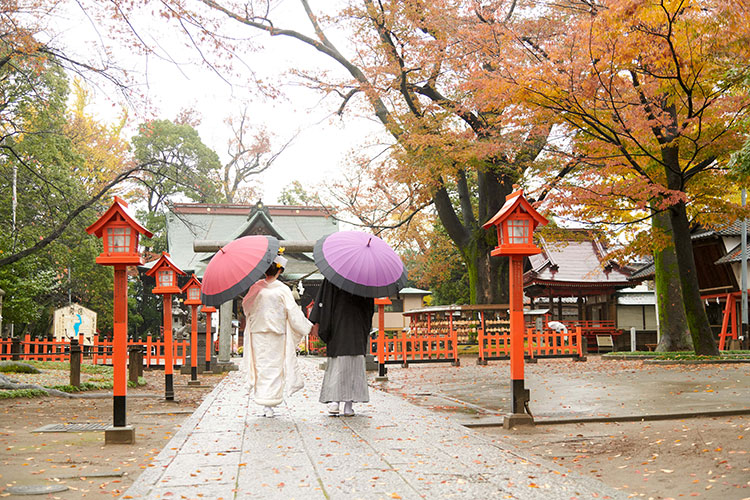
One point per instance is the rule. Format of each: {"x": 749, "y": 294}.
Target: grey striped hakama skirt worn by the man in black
{"x": 345, "y": 380}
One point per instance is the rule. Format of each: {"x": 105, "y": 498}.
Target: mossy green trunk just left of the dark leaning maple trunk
{"x": 670, "y": 308}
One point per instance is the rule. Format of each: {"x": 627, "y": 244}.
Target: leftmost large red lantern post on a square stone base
{"x": 119, "y": 233}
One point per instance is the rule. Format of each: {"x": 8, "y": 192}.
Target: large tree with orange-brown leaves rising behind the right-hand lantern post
{"x": 405, "y": 64}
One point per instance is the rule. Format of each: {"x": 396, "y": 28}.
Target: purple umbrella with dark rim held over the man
{"x": 360, "y": 263}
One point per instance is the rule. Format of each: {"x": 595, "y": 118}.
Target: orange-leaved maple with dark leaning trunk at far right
{"x": 654, "y": 97}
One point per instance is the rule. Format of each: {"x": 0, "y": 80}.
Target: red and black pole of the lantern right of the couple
{"x": 518, "y": 392}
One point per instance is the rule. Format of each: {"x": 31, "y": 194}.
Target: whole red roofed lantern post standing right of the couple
{"x": 515, "y": 223}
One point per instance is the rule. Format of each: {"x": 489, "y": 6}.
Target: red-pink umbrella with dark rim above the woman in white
{"x": 236, "y": 266}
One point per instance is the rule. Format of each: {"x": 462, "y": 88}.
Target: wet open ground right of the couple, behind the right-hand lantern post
{"x": 565, "y": 391}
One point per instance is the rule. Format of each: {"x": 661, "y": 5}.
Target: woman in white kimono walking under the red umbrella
{"x": 274, "y": 326}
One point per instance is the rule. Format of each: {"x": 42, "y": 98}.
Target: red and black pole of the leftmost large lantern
{"x": 120, "y": 347}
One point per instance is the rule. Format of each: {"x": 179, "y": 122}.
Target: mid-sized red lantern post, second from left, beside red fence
{"x": 165, "y": 272}
